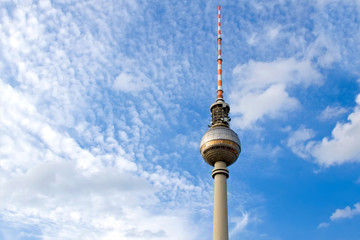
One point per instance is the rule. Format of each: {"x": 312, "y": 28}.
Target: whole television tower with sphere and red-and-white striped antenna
{"x": 220, "y": 147}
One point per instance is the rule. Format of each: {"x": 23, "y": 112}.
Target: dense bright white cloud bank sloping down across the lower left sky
{"x": 50, "y": 181}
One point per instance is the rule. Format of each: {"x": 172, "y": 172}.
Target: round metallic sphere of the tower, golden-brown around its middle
{"x": 220, "y": 143}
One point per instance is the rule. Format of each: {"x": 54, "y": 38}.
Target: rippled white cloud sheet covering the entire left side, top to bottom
{"x": 63, "y": 167}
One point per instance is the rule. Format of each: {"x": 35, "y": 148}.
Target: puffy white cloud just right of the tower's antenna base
{"x": 261, "y": 89}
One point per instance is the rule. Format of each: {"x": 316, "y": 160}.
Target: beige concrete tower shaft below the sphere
{"x": 220, "y": 227}
